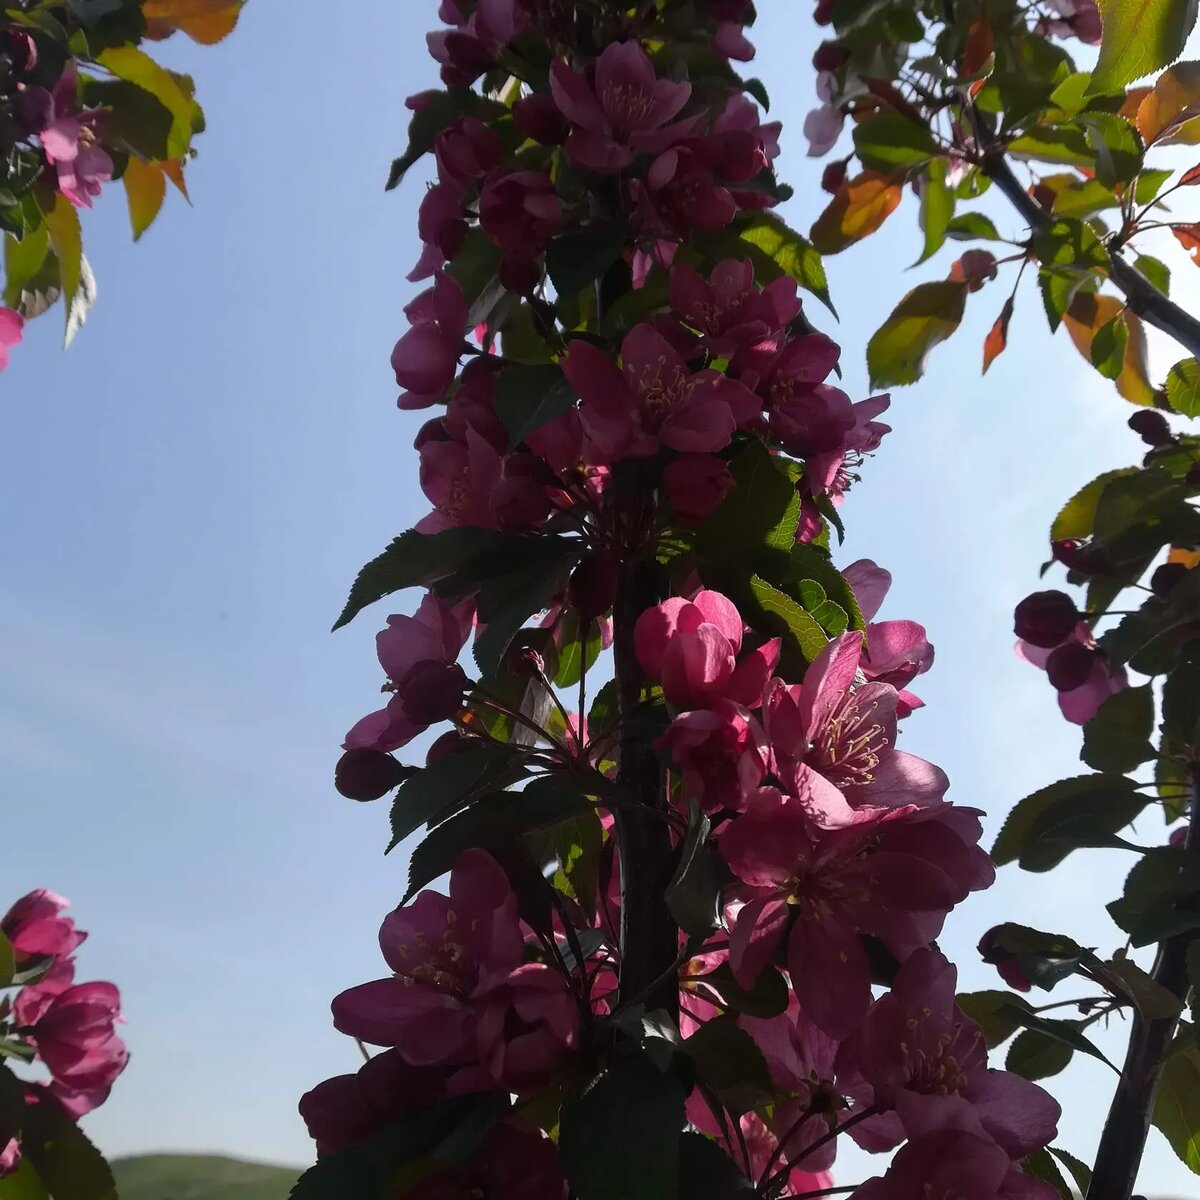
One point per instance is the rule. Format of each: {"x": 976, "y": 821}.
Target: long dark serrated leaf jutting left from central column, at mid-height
{"x": 459, "y": 560}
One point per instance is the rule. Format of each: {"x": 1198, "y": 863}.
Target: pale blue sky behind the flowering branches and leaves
{"x": 191, "y": 489}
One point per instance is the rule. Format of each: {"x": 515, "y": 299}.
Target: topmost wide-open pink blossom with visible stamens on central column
{"x": 620, "y": 110}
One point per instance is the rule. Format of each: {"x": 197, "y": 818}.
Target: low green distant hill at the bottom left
{"x": 201, "y": 1178}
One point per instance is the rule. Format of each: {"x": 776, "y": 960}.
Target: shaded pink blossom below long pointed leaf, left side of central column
{"x": 419, "y": 656}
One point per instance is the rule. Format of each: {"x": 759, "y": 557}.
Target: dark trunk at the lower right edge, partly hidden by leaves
{"x": 1124, "y": 1141}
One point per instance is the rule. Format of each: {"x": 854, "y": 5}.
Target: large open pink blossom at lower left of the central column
{"x": 440, "y": 949}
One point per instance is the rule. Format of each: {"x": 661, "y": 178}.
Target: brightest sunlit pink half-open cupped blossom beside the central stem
{"x": 692, "y": 649}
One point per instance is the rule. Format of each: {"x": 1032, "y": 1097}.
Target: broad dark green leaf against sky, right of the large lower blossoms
{"x": 1046, "y": 827}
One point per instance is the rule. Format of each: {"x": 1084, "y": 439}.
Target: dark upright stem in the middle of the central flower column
{"x": 650, "y": 940}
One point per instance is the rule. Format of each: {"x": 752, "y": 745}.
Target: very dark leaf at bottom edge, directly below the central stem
{"x": 621, "y": 1139}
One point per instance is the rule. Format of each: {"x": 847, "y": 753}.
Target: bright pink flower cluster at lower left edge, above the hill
{"x": 68, "y": 1028}
